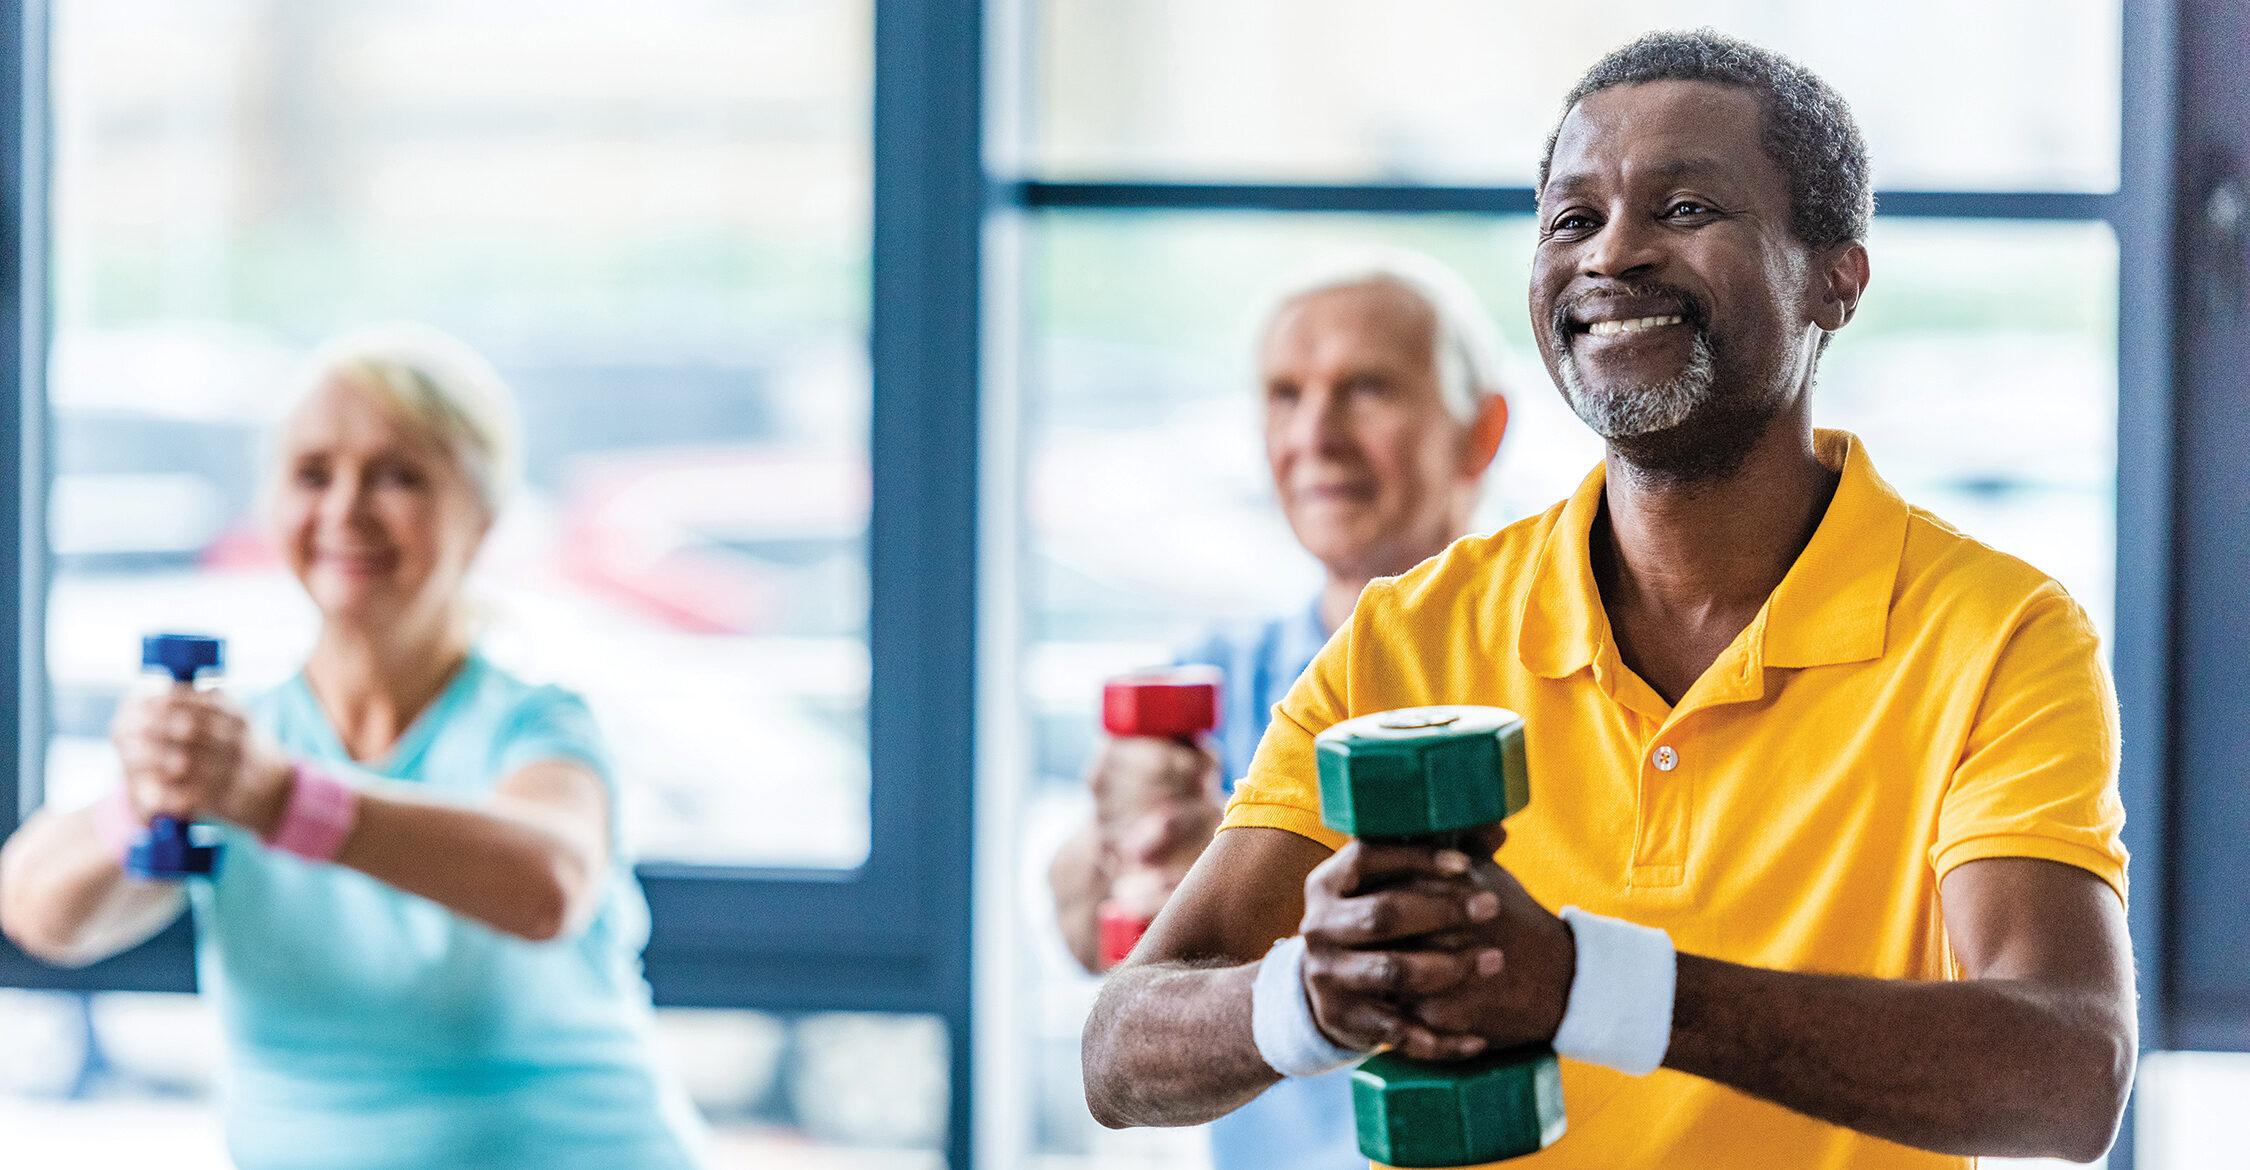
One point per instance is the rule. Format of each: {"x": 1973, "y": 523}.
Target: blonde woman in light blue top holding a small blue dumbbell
{"x": 424, "y": 942}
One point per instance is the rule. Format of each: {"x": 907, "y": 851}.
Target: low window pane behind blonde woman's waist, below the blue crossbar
{"x": 127, "y": 1081}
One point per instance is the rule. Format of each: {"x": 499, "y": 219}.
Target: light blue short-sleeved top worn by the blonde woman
{"x": 379, "y": 1032}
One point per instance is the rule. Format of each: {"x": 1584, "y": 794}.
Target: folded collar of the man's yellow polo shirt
{"x": 1830, "y": 609}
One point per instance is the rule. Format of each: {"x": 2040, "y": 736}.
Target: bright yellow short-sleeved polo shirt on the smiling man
{"x": 1905, "y": 703}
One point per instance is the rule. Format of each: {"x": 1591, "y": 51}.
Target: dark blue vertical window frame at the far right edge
{"x": 2202, "y": 226}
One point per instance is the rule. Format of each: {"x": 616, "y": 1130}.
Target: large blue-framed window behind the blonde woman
{"x": 665, "y": 224}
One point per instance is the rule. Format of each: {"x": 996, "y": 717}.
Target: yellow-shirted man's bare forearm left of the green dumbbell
{"x": 1171, "y": 1045}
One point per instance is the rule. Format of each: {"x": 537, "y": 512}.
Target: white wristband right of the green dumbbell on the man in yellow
{"x": 1621, "y": 998}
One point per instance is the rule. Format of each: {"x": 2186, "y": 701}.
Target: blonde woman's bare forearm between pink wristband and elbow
{"x": 514, "y": 870}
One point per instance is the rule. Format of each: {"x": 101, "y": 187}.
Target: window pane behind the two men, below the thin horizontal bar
{"x": 1981, "y": 375}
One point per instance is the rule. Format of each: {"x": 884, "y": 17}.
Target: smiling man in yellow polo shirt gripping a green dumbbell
{"x": 1826, "y": 786}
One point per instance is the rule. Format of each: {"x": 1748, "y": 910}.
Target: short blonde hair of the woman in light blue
{"x": 444, "y": 388}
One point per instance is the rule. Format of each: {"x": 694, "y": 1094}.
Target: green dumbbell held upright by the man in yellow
{"x": 1434, "y": 775}
